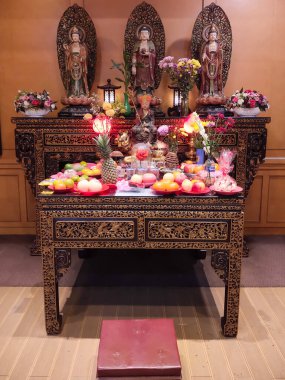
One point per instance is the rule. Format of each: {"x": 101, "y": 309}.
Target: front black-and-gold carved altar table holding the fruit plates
{"x": 144, "y": 221}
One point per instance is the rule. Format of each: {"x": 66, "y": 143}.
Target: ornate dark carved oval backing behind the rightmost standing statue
{"x": 212, "y": 16}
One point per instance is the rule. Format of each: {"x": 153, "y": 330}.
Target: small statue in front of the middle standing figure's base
{"x": 145, "y": 131}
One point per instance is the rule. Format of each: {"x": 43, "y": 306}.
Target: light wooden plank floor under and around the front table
{"x": 257, "y": 353}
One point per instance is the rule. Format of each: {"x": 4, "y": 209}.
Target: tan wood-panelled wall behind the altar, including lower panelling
{"x": 29, "y": 61}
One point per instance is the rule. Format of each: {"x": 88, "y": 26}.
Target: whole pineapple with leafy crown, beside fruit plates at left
{"x": 109, "y": 169}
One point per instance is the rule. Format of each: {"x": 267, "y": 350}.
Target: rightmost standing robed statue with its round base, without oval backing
{"x": 211, "y": 90}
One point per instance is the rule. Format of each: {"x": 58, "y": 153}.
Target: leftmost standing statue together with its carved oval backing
{"x": 76, "y": 28}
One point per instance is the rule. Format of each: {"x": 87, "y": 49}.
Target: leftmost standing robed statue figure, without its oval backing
{"x": 76, "y": 64}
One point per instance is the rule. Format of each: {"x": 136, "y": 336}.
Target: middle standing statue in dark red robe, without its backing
{"x": 143, "y": 61}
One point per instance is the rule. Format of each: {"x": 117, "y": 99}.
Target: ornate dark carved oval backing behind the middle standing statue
{"x": 144, "y": 16}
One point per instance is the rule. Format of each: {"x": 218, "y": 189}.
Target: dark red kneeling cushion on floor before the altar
{"x": 138, "y": 347}
